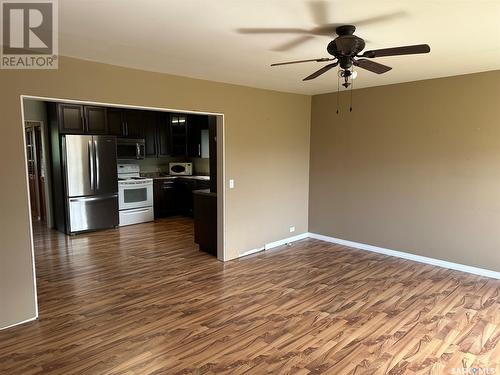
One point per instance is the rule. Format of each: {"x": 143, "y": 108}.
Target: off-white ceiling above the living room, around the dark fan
{"x": 200, "y": 38}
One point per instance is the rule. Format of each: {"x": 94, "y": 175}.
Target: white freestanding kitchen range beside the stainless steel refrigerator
{"x": 135, "y": 195}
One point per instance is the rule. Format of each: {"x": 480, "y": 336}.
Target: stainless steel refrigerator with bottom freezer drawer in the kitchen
{"x": 91, "y": 182}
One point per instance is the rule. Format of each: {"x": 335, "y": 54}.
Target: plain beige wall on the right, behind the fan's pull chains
{"x": 415, "y": 167}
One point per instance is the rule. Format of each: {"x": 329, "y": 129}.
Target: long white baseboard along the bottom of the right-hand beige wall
{"x": 409, "y": 256}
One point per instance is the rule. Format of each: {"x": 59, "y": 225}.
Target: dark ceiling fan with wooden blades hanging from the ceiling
{"x": 346, "y": 49}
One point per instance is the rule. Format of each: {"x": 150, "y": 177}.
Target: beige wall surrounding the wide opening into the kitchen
{"x": 267, "y": 154}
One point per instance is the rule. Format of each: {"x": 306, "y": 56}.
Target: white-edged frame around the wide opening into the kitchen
{"x": 221, "y": 173}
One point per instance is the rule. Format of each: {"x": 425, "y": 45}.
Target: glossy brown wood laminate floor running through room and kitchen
{"x": 144, "y": 300}
